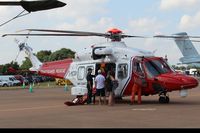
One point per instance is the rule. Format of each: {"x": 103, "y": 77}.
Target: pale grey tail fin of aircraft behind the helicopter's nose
{"x": 187, "y": 49}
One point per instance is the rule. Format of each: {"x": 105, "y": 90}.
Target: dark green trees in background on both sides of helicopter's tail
{"x": 44, "y": 56}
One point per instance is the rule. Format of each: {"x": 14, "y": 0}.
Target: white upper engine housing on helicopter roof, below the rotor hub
{"x": 118, "y": 50}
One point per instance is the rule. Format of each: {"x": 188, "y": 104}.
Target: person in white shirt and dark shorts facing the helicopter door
{"x": 100, "y": 86}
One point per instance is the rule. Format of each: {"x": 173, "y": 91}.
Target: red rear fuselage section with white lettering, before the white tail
{"x": 56, "y": 69}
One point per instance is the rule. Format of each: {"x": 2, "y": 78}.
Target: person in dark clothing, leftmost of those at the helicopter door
{"x": 89, "y": 78}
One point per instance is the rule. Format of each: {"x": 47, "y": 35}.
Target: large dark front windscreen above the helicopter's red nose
{"x": 156, "y": 67}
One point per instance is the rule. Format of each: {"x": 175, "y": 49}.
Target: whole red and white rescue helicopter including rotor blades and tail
{"x": 159, "y": 77}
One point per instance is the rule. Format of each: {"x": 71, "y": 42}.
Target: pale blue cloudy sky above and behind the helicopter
{"x": 135, "y": 17}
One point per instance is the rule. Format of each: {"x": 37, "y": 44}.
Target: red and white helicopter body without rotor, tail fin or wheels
{"x": 156, "y": 76}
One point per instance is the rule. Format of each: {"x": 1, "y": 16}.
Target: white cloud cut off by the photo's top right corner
{"x": 178, "y": 4}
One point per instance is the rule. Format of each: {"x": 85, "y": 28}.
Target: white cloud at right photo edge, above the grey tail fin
{"x": 188, "y": 22}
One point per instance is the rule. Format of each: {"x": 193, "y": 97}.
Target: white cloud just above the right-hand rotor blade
{"x": 143, "y": 25}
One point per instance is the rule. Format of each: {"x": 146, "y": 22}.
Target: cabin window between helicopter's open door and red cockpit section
{"x": 122, "y": 71}
